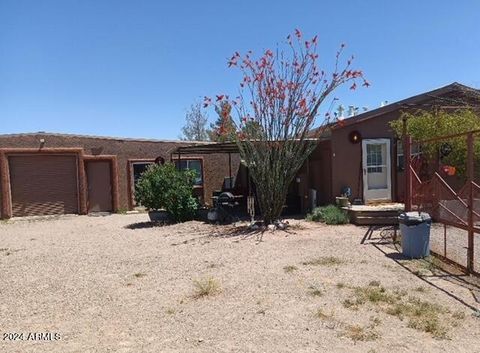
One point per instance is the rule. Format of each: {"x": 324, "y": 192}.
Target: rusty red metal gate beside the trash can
{"x": 443, "y": 179}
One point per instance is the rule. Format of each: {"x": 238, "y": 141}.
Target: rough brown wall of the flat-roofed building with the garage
{"x": 215, "y": 166}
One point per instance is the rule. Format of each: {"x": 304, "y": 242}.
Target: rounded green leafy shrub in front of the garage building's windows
{"x": 166, "y": 187}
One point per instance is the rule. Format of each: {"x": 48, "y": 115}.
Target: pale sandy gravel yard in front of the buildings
{"x": 115, "y": 284}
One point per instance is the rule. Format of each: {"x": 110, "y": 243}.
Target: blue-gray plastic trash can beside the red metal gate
{"x": 415, "y": 230}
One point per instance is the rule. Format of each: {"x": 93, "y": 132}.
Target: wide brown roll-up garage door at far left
{"x": 43, "y": 185}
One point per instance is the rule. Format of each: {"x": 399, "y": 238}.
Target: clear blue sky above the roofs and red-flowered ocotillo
{"x": 132, "y": 68}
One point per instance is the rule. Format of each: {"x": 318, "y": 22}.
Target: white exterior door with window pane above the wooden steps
{"x": 377, "y": 183}
